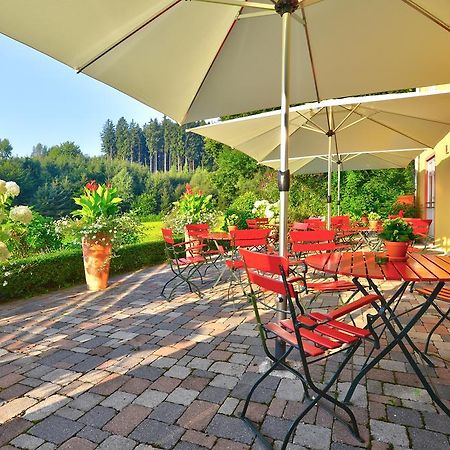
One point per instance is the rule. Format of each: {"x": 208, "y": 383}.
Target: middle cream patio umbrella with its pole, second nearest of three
{"x": 414, "y": 120}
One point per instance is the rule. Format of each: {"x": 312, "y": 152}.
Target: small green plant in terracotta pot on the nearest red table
{"x": 397, "y": 235}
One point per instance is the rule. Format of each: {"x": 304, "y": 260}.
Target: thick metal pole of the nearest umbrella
{"x": 284, "y": 176}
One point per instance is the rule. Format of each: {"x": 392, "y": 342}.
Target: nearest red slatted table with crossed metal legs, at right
{"x": 416, "y": 268}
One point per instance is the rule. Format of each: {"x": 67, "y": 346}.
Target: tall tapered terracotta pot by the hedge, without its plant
{"x": 96, "y": 258}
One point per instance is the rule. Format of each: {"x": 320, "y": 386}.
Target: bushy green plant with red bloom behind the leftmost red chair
{"x": 193, "y": 207}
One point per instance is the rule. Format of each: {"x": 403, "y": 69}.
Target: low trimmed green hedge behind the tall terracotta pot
{"x": 39, "y": 274}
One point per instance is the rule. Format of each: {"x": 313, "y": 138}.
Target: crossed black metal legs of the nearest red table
{"x": 398, "y": 337}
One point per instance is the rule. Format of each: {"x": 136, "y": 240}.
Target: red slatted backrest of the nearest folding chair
{"x": 261, "y": 268}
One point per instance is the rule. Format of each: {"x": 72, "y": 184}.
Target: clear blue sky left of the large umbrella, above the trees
{"x": 42, "y": 100}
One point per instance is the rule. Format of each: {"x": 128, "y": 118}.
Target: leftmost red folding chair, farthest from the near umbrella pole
{"x": 182, "y": 266}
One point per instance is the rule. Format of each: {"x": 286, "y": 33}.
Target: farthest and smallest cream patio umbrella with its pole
{"x": 394, "y": 159}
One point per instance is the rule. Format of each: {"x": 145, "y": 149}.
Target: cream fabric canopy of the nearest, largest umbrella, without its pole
{"x": 201, "y": 59}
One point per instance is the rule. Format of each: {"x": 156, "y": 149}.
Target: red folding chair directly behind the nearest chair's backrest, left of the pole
{"x": 251, "y": 239}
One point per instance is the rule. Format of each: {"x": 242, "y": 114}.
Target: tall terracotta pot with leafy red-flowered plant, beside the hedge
{"x": 99, "y": 206}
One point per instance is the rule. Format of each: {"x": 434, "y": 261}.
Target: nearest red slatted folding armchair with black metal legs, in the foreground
{"x": 315, "y": 335}
